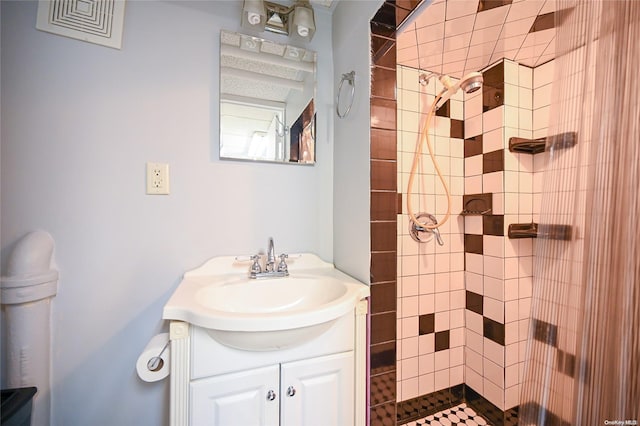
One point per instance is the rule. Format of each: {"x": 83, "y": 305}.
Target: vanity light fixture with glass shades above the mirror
{"x": 296, "y": 21}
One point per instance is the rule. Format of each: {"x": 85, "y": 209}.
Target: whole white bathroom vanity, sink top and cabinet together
{"x": 283, "y": 351}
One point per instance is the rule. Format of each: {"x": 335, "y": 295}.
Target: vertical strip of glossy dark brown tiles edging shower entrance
{"x": 383, "y": 211}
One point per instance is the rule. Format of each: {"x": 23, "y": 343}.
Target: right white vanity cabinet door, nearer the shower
{"x": 318, "y": 391}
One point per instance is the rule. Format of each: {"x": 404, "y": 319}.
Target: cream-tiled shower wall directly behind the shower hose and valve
{"x": 431, "y": 295}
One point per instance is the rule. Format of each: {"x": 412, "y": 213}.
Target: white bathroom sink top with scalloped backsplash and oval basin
{"x": 265, "y": 314}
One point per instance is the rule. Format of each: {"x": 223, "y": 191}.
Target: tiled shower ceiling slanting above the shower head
{"x": 456, "y": 37}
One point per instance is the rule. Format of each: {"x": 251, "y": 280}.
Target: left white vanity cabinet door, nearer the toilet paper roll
{"x": 237, "y": 399}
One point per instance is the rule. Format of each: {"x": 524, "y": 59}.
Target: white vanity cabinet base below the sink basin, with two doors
{"x": 318, "y": 383}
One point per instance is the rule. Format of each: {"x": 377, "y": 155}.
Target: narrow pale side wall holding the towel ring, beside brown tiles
{"x": 351, "y": 197}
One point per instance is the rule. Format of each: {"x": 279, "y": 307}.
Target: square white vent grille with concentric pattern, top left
{"x": 94, "y": 21}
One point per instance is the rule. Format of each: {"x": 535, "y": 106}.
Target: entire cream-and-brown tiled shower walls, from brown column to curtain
{"x": 463, "y": 308}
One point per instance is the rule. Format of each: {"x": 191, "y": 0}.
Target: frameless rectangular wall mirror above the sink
{"x": 267, "y": 93}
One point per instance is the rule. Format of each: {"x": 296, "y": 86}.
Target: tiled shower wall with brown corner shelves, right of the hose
{"x": 499, "y": 274}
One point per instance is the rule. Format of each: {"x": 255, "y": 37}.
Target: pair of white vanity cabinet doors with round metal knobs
{"x": 311, "y": 392}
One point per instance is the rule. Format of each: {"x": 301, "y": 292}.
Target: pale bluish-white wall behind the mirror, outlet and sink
{"x": 79, "y": 121}
